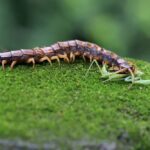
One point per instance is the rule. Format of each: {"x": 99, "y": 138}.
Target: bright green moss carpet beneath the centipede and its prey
{"x": 58, "y": 102}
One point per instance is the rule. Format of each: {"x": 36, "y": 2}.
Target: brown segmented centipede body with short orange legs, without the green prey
{"x": 66, "y": 50}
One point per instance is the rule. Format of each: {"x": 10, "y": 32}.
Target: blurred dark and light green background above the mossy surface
{"x": 121, "y": 26}
